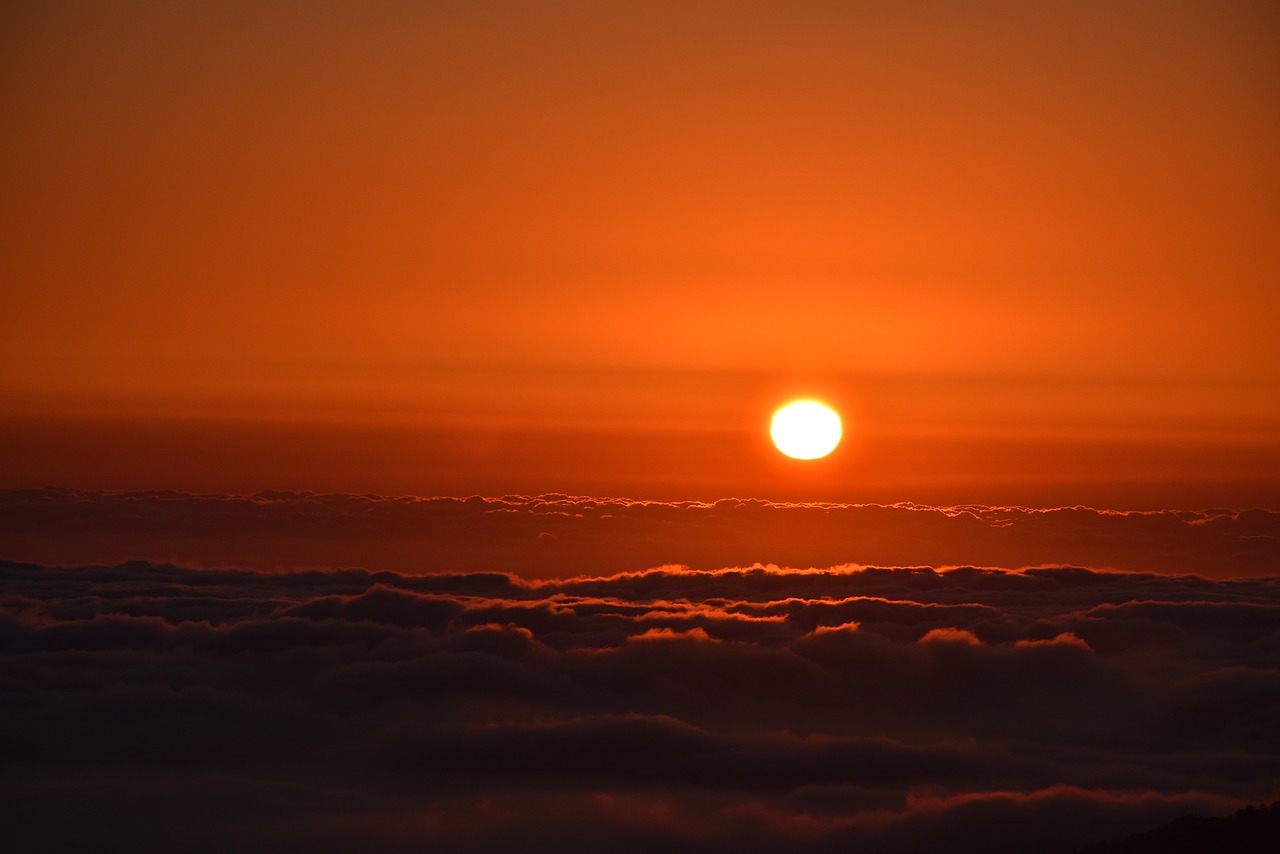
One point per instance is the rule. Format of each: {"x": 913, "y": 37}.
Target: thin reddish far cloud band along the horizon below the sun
{"x": 552, "y": 536}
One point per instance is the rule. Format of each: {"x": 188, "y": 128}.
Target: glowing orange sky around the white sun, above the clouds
{"x": 1030, "y": 250}
